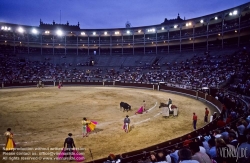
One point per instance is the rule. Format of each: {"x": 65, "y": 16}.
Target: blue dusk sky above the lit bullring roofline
{"x": 96, "y": 14}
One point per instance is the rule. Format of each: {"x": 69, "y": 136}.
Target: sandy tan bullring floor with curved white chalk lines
{"x": 44, "y": 117}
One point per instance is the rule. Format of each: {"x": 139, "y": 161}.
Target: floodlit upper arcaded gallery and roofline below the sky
{"x": 229, "y": 28}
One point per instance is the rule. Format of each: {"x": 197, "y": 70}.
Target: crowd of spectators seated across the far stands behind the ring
{"x": 197, "y": 72}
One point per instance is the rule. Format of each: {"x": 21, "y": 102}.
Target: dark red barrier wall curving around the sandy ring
{"x": 134, "y": 155}
